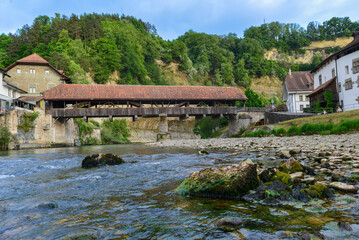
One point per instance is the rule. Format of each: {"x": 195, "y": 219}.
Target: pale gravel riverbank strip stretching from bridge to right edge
{"x": 342, "y": 142}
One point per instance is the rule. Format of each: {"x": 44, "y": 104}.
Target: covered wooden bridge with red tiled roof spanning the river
{"x": 86, "y": 101}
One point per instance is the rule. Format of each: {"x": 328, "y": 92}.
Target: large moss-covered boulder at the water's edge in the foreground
{"x": 232, "y": 181}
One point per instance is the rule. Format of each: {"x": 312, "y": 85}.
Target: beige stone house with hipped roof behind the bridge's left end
{"x": 35, "y": 75}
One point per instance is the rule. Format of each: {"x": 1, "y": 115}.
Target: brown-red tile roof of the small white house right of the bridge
{"x": 299, "y": 81}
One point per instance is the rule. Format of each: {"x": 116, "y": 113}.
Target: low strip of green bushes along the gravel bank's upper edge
{"x": 310, "y": 129}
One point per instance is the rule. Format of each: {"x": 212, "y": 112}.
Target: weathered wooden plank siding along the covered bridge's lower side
{"x": 129, "y": 112}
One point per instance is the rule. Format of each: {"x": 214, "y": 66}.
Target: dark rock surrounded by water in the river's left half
{"x": 98, "y": 160}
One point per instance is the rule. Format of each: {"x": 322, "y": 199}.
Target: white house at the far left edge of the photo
{"x": 8, "y": 92}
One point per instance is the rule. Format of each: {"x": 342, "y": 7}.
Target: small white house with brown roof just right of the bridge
{"x": 296, "y": 87}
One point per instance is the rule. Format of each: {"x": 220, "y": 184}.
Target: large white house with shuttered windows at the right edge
{"x": 339, "y": 74}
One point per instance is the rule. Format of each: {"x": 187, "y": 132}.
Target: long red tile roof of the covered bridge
{"x": 142, "y": 93}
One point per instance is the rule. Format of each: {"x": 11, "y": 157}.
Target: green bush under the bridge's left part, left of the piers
{"x": 114, "y": 132}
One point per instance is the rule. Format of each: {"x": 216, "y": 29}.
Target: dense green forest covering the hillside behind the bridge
{"x": 99, "y": 45}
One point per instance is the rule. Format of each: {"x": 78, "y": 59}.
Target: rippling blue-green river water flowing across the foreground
{"x": 136, "y": 200}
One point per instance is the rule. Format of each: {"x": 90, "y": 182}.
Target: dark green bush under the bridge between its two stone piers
{"x": 207, "y": 126}
